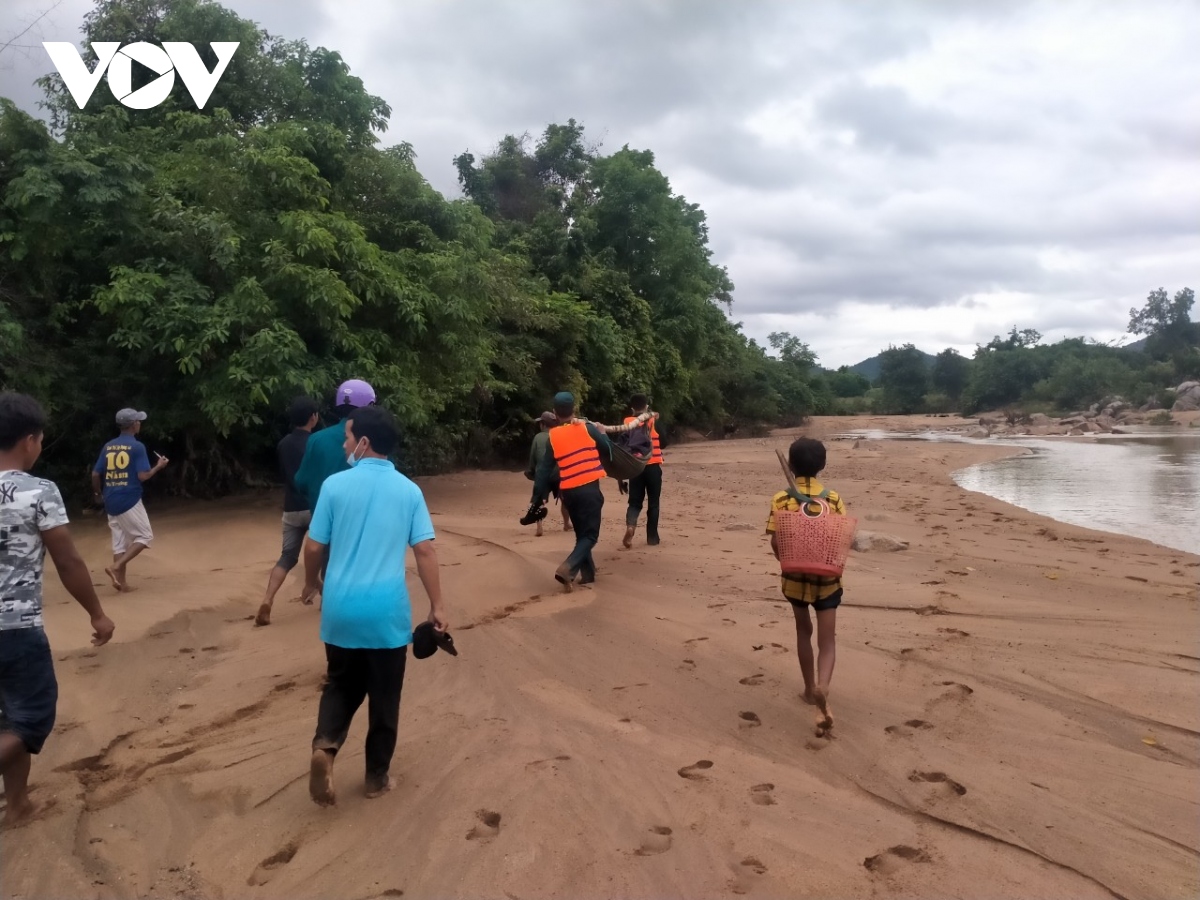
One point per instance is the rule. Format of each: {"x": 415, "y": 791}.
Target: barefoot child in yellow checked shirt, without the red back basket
{"x": 807, "y": 459}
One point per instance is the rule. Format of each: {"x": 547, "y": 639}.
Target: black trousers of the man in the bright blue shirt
{"x": 351, "y": 676}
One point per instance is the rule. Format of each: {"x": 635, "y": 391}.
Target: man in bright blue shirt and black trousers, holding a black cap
{"x": 363, "y": 526}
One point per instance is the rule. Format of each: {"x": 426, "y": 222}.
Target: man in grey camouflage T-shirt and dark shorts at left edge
{"x": 33, "y": 521}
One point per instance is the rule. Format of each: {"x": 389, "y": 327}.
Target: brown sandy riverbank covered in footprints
{"x": 1018, "y": 710}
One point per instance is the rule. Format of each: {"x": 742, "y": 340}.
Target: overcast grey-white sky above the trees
{"x": 873, "y": 173}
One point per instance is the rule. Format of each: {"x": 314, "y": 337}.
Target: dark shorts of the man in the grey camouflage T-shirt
{"x": 29, "y": 692}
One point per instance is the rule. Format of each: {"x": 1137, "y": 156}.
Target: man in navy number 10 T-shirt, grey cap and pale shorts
{"x": 117, "y": 478}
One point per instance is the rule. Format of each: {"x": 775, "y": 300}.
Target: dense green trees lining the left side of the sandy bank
{"x": 211, "y": 265}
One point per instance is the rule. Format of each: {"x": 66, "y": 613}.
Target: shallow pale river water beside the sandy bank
{"x": 1144, "y": 487}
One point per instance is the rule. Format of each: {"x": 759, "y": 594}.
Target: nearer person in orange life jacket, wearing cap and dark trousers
{"x": 575, "y": 451}
